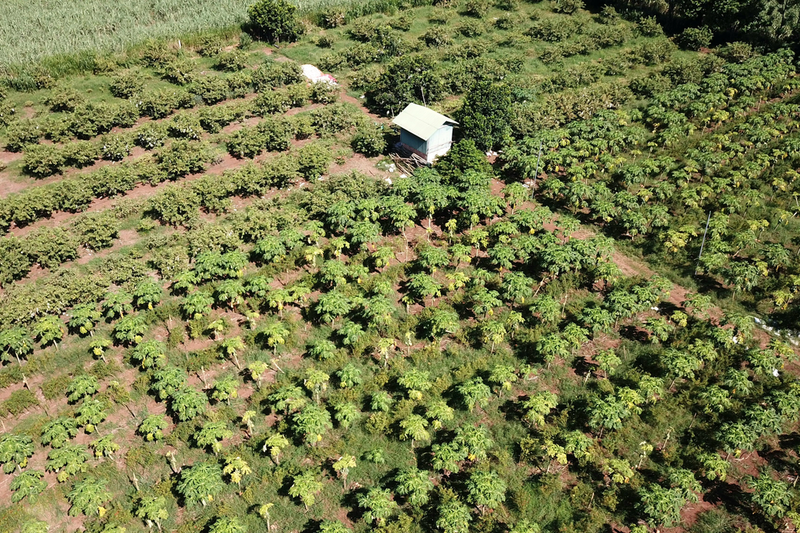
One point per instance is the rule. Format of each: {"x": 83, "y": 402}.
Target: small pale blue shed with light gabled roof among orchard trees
{"x": 425, "y": 132}
